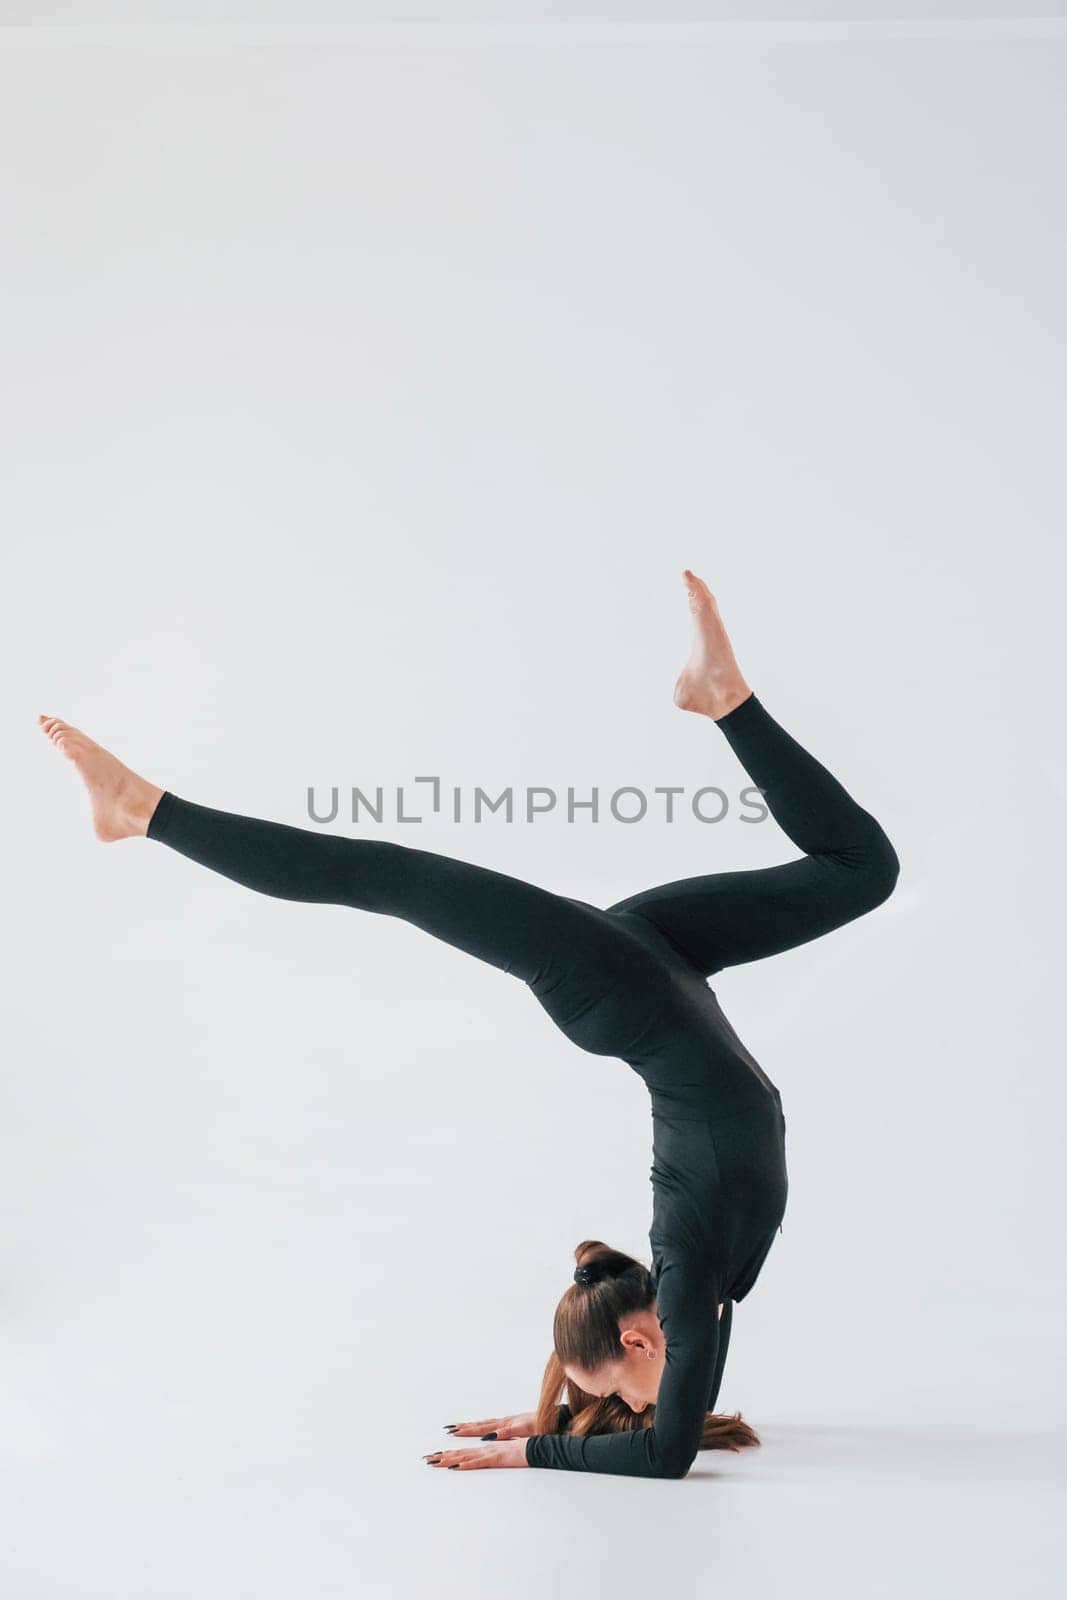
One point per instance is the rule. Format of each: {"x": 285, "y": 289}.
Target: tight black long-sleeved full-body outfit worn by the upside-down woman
{"x": 629, "y": 982}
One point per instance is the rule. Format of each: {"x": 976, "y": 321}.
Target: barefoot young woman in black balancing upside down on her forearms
{"x": 637, "y": 1354}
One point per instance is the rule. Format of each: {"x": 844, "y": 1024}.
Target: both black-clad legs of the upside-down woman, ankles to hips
{"x": 583, "y": 964}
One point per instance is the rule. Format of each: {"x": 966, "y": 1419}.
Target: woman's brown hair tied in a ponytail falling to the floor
{"x": 586, "y": 1334}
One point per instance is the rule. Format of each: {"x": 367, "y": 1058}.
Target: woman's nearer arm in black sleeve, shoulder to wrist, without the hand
{"x": 687, "y": 1300}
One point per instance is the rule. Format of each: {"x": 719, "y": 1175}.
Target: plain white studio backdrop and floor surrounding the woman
{"x": 362, "y": 402}
